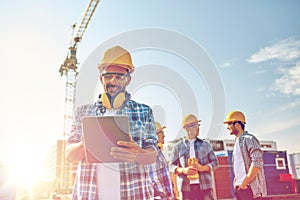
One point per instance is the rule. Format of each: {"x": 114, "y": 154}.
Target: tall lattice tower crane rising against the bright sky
{"x": 69, "y": 67}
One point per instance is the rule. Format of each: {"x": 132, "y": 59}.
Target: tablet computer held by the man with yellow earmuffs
{"x": 100, "y": 133}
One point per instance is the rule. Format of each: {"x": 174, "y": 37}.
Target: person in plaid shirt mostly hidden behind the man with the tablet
{"x": 159, "y": 171}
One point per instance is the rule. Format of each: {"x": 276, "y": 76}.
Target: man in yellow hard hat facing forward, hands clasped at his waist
{"x": 193, "y": 160}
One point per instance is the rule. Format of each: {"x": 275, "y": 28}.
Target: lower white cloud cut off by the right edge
{"x": 289, "y": 82}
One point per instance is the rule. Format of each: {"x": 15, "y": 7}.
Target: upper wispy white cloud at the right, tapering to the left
{"x": 284, "y": 50}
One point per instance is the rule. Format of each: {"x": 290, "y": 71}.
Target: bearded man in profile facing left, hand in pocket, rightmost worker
{"x": 249, "y": 180}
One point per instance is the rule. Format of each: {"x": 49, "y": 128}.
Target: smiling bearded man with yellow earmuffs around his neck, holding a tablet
{"x": 128, "y": 179}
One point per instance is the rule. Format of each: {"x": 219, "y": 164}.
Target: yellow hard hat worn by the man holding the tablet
{"x": 116, "y": 56}
